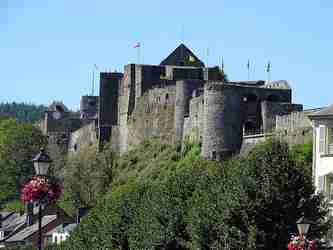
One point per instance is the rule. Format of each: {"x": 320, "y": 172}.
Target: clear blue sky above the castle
{"x": 48, "y": 47}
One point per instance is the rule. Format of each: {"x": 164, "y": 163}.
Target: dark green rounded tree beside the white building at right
{"x": 280, "y": 189}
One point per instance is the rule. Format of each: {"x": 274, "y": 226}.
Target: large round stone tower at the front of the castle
{"x": 222, "y": 125}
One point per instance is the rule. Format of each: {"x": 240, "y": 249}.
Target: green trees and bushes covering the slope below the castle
{"x": 157, "y": 198}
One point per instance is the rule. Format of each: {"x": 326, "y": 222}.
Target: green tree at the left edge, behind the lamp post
{"x": 19, "y": 143}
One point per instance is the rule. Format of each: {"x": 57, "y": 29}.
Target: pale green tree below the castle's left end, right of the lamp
{"x": 87, "y": 176}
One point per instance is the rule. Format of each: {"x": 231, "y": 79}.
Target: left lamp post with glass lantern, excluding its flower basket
{"x": 41, "y": 164}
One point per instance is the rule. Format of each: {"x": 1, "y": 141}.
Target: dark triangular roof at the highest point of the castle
{"x": 182, "y": 56}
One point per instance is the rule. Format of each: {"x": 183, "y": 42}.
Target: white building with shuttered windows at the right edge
{"x": 322, "y": 169}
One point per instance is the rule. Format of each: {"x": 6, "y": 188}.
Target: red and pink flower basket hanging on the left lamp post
{"x": 41, "y": 189}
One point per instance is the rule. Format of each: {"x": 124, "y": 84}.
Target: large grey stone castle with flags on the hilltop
{"x": 179, "y": 99}
